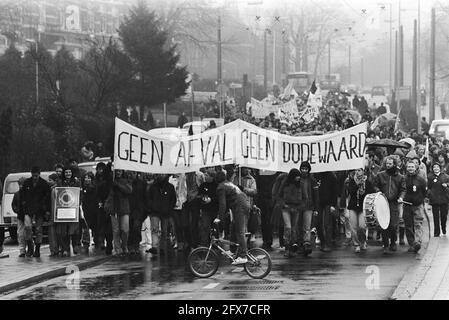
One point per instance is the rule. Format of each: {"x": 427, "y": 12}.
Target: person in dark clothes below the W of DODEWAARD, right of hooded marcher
{"x": 327, "y": 195}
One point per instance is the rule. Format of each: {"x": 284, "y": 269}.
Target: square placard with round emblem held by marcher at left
{"x": 65, "y": 204}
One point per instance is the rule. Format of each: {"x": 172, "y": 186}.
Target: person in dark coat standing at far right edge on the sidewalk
{"x": 438, "y": 193}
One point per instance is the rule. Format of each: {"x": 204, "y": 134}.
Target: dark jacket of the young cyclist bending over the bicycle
{"x": 230, "y": 196}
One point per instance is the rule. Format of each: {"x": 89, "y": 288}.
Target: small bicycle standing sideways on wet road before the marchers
{"x": 204, "y": 261}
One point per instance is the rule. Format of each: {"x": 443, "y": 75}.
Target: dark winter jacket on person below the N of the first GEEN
{"x": 161, "y": 199}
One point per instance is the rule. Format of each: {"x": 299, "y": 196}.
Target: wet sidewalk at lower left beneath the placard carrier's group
{"x": 18, "y": 272}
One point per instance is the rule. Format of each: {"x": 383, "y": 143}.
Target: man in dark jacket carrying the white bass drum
{"x": 392, "y": 184}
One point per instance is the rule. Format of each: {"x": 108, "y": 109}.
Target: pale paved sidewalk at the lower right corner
{"x": 429, "y": 280}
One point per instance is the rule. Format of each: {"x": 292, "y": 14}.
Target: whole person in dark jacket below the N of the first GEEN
{"x": 161, "y": 201}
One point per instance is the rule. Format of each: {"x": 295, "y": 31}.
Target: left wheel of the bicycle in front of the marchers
{"x": 203, "y": 263}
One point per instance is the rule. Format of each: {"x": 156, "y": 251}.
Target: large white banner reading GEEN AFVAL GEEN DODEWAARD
{"x": 237, "y": 142}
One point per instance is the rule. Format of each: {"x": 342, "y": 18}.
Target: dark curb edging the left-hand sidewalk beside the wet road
{"x": 61, "y": 271}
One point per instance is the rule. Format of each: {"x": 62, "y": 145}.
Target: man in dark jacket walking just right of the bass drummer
{"x": 414, "y": 207}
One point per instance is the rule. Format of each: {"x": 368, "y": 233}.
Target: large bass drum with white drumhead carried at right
{"x": 377, "y": 211}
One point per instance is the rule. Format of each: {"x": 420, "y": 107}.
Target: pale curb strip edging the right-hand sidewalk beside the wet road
{"x": 415, "y": 275}
